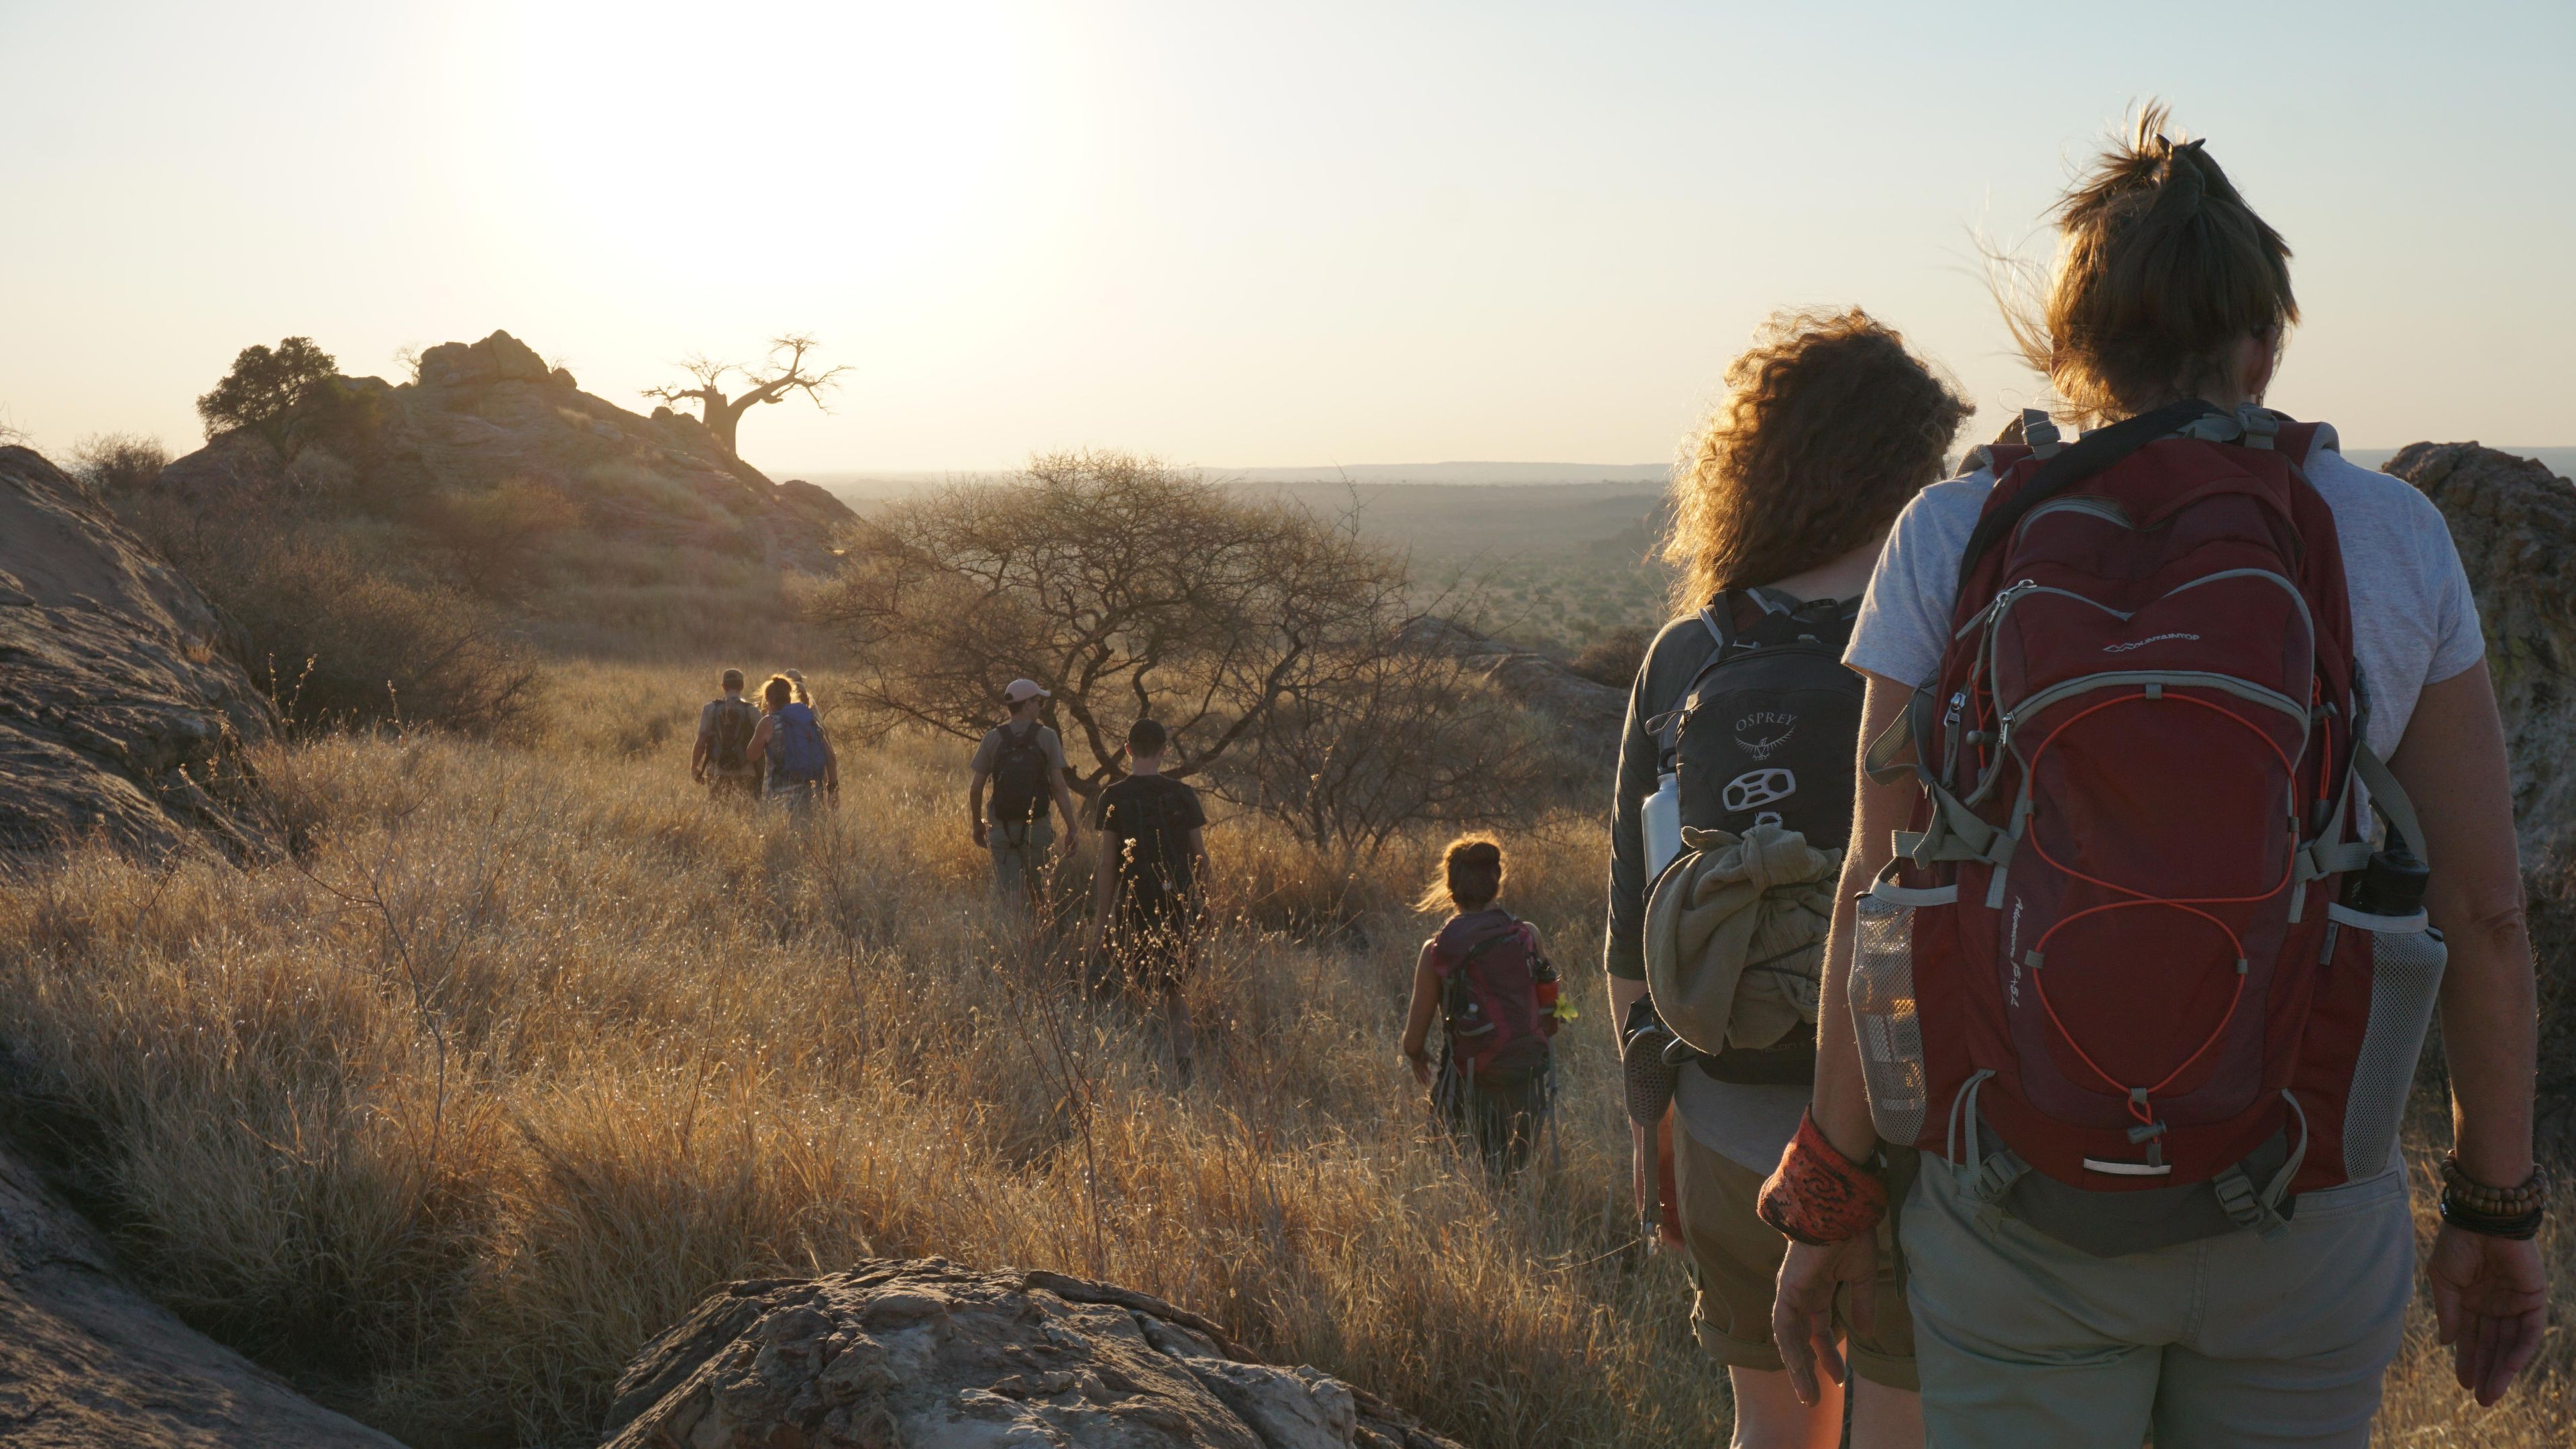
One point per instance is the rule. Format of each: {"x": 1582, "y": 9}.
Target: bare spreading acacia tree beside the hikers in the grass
{"x": 1119, "y": 584}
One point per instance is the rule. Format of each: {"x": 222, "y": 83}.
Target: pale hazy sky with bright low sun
{"x": 1238, "y": 233}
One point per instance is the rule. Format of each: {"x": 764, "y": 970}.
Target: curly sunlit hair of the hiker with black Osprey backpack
{"x": 1828, "y": 429}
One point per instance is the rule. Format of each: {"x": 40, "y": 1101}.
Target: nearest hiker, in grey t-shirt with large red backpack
{"x": 2186, "y": 808}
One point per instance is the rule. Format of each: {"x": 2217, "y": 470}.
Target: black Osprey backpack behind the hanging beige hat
{"x": 1766, "y": 736}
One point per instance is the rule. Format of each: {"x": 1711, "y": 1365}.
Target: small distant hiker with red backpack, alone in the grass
{"x": 1493, "y": 991}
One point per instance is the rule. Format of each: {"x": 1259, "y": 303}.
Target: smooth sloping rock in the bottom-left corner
{"x": 89, "y": 1363}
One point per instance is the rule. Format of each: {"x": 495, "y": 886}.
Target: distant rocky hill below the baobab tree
{"x": 493, "y": 416}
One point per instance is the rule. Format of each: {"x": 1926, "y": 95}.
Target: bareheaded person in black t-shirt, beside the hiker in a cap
{"x": 1148, "y": 891}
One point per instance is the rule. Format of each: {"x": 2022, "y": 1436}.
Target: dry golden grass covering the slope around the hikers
{"x": 535, "y": 1045}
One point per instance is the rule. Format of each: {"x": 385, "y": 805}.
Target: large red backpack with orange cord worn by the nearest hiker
{"x": 2137, "y": 935}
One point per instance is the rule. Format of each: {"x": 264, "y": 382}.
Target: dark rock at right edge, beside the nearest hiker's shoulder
{"x": 2515, "y": 527}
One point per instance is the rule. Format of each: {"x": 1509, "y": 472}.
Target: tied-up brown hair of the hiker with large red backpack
{"x": 2163, "y": 269}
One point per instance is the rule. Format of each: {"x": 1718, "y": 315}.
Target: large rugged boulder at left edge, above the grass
{"x": 117, "y": 710}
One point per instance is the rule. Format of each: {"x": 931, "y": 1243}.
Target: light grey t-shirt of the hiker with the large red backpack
{"x": 2412, "y": 615}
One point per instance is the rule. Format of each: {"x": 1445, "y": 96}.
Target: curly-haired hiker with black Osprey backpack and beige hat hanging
{"x": 1735, "y": 795}
